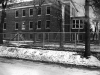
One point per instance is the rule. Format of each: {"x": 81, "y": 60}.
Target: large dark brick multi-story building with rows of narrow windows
{"x": 33, "y": 17}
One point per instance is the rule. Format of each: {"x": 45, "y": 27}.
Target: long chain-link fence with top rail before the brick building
{"x": 71, "y": 40}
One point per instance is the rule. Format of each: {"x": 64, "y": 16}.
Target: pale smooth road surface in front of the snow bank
{"x": 20, "y": 67}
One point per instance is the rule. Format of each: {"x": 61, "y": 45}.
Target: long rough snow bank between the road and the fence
{"x": 48, "y": 55}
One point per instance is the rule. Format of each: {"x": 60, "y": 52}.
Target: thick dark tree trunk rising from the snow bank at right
{"x": 87, "y": 30}
